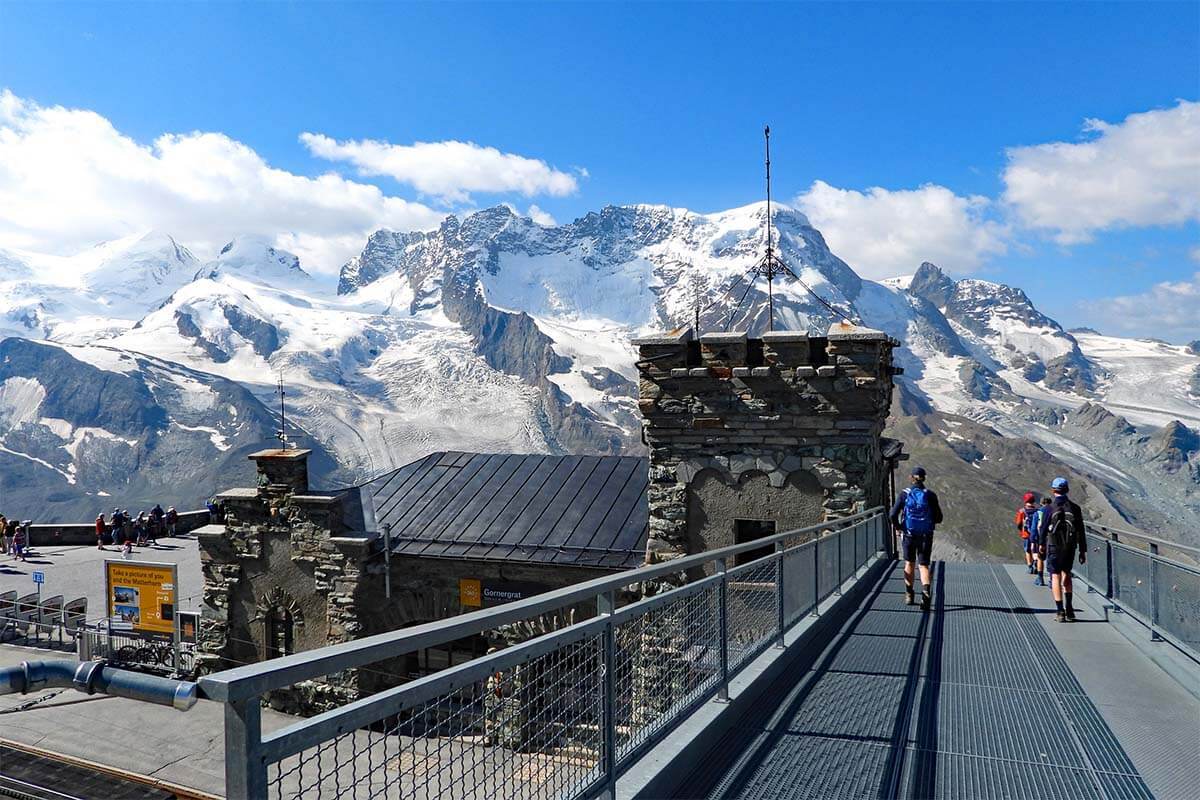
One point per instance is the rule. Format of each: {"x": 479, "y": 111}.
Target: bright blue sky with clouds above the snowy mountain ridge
{"x": 664, "y": 104}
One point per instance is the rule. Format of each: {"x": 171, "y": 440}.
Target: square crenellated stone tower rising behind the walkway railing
{"x": 754, "y": 436}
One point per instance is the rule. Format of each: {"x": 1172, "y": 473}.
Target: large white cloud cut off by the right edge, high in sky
{"x": 1142, "y": 172}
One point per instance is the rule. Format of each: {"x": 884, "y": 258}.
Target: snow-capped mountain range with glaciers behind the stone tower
{"x": 495, "y": 333}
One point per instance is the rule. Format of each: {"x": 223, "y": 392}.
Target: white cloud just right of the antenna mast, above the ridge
{"x": 883, "y": 233}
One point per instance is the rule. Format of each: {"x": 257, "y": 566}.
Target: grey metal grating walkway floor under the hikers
{"x": 973, "y": 701}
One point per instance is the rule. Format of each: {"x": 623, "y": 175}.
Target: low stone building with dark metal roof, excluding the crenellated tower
{"x": 292, "y": 569}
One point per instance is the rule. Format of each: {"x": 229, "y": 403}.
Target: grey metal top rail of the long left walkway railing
{"x": 253, "y": 681}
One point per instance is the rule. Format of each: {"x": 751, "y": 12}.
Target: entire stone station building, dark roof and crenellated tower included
{"x": 747, "y": 437}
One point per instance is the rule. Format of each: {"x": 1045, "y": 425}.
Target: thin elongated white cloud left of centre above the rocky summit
{"x": 446, "y": 170}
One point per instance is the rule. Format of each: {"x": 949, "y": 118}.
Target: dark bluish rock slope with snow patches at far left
{"x": 94, "y": 440}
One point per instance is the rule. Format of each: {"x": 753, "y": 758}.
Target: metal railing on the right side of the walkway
{"x": 1161, "y": 593}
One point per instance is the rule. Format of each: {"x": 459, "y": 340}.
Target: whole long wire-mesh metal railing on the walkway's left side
{"x": 561, "y": 715}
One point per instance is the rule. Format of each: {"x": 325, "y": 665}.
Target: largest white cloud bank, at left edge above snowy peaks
{"x": 70, "y": 179}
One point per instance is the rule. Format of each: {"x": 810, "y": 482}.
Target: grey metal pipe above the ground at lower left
{"x": 93, "y": 677}
